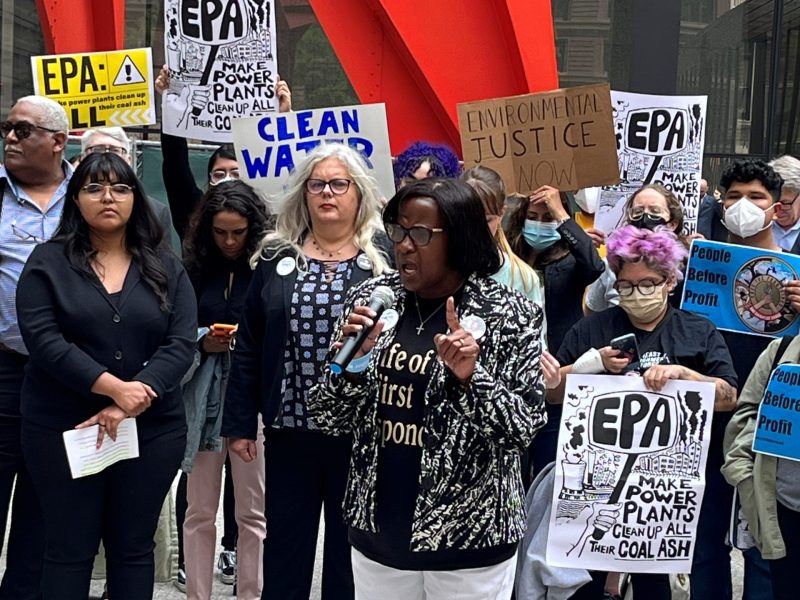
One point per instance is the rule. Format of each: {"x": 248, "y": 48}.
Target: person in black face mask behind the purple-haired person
{"x": 650, "y": 207}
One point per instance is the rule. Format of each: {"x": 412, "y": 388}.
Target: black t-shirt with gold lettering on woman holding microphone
{"x": 404, "y": 370}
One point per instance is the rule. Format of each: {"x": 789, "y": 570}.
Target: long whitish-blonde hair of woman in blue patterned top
{"x": 294, "y": 221}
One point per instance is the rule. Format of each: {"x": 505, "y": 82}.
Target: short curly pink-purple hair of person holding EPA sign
{"x": 660, "y": 250}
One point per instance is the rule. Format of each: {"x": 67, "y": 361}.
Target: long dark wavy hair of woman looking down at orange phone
{"x": 199, "y": 248}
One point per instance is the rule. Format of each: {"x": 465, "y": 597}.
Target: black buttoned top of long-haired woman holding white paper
{"x": 74, "y": 332}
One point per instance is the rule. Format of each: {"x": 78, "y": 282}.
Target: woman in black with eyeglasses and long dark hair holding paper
{"x": 109, "y": 317}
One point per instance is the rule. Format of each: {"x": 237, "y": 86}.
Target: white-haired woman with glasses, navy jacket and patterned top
{"x": 328, "y": 237}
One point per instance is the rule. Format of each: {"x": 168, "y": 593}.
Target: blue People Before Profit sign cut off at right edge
{"x": 778, "y": 421}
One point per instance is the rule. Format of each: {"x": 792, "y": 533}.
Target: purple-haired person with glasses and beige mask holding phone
{"x": 672, "y": 344}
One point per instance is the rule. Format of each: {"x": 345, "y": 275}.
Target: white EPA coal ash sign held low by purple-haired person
{"x": 629, "y": 474}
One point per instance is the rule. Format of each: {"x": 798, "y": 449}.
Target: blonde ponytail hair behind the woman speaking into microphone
{"x": 490, "y": 188}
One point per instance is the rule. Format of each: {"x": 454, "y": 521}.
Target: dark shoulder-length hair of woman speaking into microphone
{"x": 470, "y": 246}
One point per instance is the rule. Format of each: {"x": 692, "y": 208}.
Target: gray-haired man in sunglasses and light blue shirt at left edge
{"x": 33, "y": 184}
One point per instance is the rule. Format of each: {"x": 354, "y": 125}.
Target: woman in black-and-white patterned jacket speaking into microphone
{"x": 442, "y": 397}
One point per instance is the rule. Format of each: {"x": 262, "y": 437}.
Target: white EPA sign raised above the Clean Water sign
{"x": 222, "y": 64}
